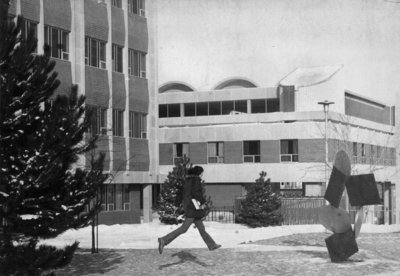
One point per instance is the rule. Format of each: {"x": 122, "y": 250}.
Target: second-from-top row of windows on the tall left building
{"x": 95, "y": 50}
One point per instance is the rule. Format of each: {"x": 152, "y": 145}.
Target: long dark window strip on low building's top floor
{"x": 219, "y": 108}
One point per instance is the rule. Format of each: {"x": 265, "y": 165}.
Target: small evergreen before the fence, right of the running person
{"x": 261, "y": 207}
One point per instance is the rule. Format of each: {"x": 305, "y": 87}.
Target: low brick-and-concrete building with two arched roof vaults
{"x": 236, "y": 130}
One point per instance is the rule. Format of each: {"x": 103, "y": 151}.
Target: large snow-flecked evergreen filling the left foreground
{"x": 43, "y": 192}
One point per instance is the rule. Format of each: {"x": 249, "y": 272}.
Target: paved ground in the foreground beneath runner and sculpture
{"x": 300, "y": 254}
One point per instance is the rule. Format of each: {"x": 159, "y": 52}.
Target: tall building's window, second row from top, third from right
{"x": 95, "y": 53}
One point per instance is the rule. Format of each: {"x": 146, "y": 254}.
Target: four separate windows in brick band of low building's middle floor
{"x": 251, "y": 151}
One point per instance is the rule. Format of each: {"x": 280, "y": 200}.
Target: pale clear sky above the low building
{"x": 203, "y": 43}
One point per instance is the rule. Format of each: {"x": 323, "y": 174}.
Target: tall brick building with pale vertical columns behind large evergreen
{"x": 105, "y": 48}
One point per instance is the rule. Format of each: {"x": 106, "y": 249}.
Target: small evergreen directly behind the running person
{"x": 170, "y": 201}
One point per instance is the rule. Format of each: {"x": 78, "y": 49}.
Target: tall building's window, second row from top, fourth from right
{"x": 58, "y": 41}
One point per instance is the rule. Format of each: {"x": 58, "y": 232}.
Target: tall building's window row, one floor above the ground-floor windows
{"x": 98, "y": 126}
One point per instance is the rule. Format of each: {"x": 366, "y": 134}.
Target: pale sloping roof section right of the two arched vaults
{"x": 308, "y": 76}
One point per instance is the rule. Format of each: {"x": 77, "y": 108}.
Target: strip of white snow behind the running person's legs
{"x": 144, "y": 236}
